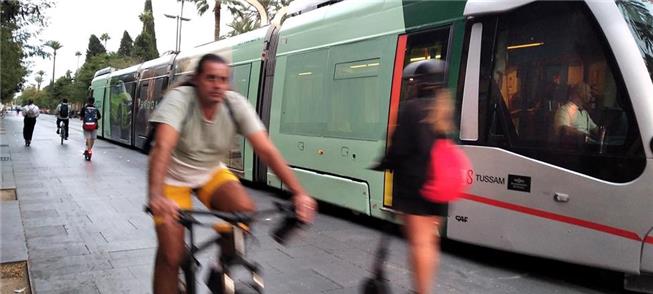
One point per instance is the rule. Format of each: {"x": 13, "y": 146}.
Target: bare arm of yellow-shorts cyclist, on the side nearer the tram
{"x": 304, "y": 204}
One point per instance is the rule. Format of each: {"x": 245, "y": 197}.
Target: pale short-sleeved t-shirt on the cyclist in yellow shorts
{"x": 203, "y": 144}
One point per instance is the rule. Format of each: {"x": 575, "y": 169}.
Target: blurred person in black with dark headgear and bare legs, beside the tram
{"x": 424, "y": 116}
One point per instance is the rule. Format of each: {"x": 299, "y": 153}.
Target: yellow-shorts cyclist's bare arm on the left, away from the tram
{"x": 160, "y": 156}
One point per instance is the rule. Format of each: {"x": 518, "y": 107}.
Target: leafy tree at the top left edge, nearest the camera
{"x": 20, "y": 23}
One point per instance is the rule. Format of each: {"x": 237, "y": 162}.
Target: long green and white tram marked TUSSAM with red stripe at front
{"x": 327, "y": 84}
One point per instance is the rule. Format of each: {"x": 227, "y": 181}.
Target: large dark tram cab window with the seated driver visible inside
{"x": 556, "y": 94}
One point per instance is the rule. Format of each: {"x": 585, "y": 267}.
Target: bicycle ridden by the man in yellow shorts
{"x": 231, "y": 245}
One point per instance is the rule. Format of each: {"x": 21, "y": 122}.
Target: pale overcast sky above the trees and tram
{"x": 71, "y": 23}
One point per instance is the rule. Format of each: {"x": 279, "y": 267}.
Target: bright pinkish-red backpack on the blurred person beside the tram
{"x": 445, "y": 179}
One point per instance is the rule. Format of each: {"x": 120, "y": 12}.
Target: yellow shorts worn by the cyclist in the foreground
{"x": 182, "y": 195}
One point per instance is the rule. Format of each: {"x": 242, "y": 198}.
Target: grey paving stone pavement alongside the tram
{"x": 85, "y": 231}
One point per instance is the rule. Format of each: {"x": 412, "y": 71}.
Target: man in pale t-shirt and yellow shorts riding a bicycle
{"x": 196, "y": 124}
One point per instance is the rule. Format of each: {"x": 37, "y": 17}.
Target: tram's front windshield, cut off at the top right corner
{"x": 639, "y": 16}
